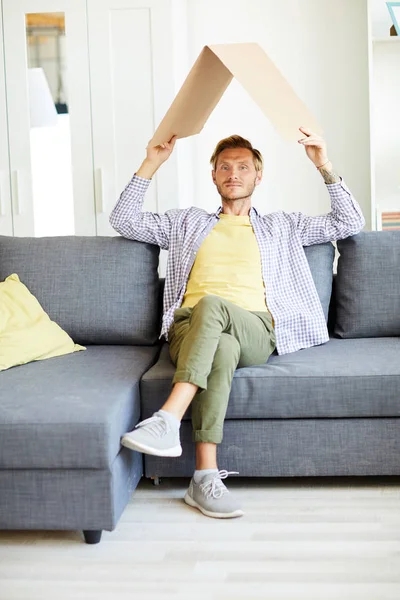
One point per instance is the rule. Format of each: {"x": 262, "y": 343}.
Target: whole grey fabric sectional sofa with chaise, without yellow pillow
{"x": 328, "y": 410}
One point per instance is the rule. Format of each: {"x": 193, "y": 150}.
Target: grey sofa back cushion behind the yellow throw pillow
{"x": 100, "y": 290}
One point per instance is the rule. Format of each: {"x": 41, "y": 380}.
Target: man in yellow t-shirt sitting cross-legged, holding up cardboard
{"x": 238, "y": 286}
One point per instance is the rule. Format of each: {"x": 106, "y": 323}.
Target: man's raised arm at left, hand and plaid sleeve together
{"x": 127, "y": 217}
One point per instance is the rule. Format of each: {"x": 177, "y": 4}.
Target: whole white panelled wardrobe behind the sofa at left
{"x": 119, "y": 81}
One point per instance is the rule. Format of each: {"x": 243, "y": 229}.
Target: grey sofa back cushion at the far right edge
{"x": 367, "y": 286}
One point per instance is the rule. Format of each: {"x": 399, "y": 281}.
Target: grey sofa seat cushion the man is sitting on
{"x": 342, "y": 378}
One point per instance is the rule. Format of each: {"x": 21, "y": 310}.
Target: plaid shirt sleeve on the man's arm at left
{"x": 128, "y": 219}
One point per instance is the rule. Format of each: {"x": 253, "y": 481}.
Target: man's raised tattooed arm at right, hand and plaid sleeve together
{"x": 345, "y": 218}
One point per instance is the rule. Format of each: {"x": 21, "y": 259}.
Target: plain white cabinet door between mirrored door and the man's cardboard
{"x": 131, "y": 71}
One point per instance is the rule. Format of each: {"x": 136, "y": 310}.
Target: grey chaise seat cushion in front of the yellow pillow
{"x": 69, "y": 412}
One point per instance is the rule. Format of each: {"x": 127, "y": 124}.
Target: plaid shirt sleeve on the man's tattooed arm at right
{"x": 345, "y": 218}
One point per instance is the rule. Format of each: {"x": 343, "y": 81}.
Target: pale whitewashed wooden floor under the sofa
{"x": 299, "y": 539}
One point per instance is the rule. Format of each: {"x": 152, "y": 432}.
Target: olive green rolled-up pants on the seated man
{"x": 207, "y": 343}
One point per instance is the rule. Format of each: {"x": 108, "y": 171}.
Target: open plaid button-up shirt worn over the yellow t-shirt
{"x": 291, "y": 294}
